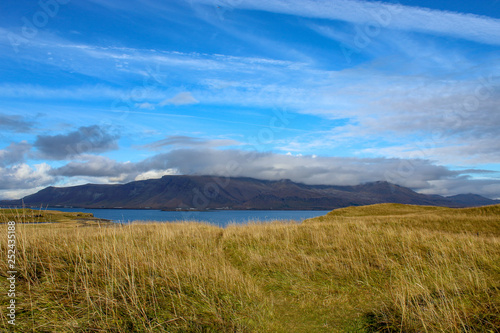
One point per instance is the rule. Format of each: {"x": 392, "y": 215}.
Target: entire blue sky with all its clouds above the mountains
{"x": 321, "y": 92}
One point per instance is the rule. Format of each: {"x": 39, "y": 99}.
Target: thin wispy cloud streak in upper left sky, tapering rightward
{"x": 113, "y": 64}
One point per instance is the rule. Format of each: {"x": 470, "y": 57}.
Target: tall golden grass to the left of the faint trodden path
{"x": 168, "y": 277}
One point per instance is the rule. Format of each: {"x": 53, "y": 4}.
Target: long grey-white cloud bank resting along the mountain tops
{"x": 418, "y": 174}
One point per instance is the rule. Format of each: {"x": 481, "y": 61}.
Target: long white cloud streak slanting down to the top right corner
{"x": 395, "y": 16}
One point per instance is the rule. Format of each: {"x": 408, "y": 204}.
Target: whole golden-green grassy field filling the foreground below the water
{"x": 381, "y": 268}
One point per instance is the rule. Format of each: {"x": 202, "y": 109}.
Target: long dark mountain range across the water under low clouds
{"x": 211, "y": 192}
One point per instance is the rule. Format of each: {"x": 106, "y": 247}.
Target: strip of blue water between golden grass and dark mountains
{"x": 220, "y": 217}
